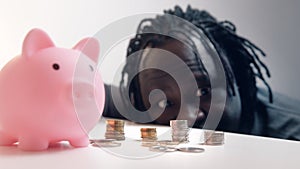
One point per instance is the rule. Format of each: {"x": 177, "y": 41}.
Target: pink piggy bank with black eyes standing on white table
{"x": 50, "y": 94}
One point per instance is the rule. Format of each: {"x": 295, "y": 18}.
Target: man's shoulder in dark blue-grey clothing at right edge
{"x": 282, "y": 116}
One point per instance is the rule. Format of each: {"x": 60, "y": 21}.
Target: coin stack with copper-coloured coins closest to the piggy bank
{"x": 115, "y": 129}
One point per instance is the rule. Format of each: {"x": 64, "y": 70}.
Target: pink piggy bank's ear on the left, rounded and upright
{"x": 35, "y": 40}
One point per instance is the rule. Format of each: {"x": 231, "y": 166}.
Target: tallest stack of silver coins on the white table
{"x": 180, "y": 130}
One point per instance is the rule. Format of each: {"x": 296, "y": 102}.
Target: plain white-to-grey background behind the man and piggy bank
{"x": 271, "y": 24}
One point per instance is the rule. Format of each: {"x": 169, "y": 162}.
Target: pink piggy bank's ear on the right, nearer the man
{"x": 90, "y": 47}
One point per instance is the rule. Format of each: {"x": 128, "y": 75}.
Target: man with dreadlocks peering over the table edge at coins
{"x": 247, "y": 108}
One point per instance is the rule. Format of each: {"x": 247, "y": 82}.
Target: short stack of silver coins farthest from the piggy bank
{"x": 213, "y": 137}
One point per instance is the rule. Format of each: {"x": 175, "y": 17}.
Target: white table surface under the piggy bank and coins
{"x": 239, "y": 151}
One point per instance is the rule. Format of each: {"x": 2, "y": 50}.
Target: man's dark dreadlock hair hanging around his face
{"x": 239, "y": 56}
